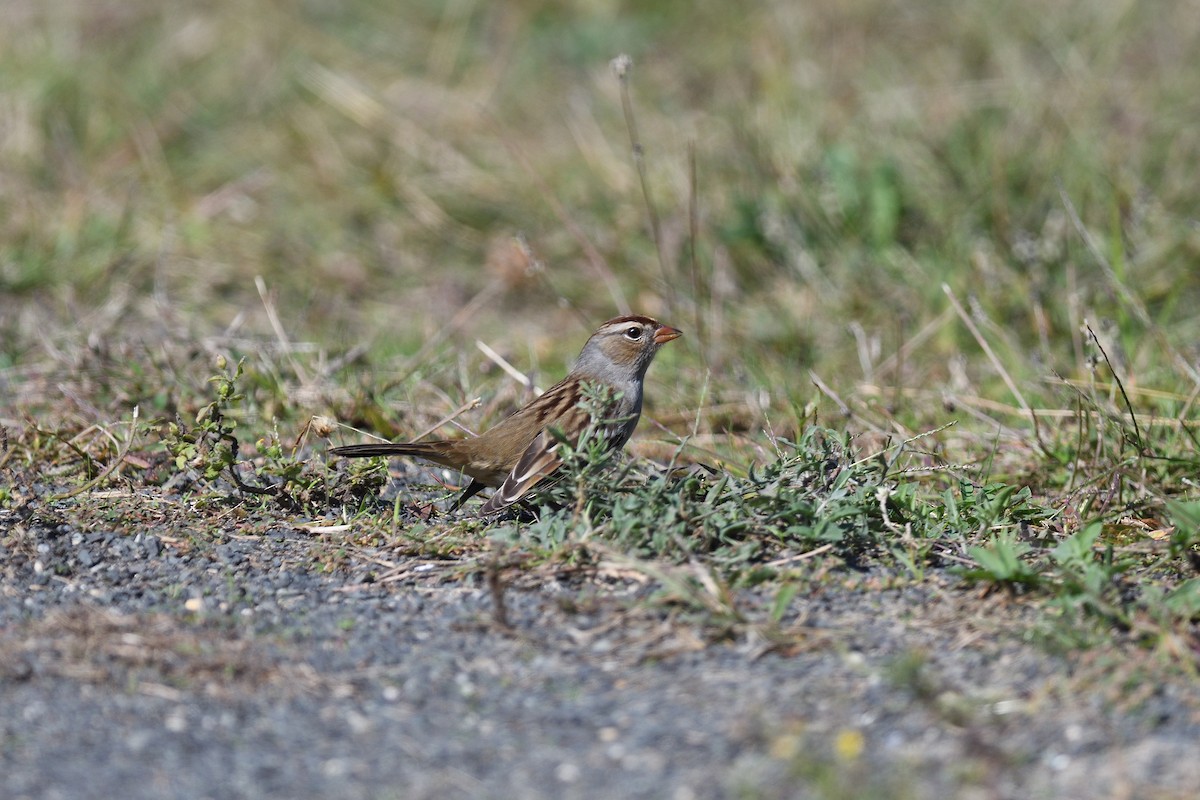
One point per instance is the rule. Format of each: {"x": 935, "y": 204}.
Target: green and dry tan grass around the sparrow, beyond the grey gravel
{"x": 937, "y": 276}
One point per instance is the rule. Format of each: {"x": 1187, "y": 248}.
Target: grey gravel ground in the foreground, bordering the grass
{"x": 169, "y": 664}
